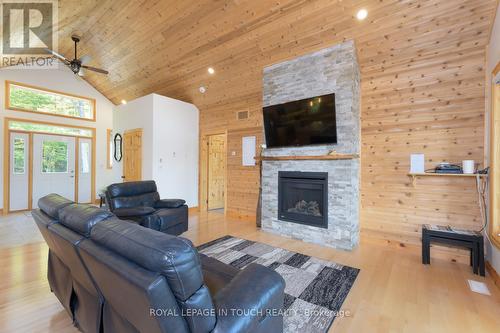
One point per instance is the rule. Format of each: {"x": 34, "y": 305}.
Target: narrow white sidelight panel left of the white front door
{"x": 19, "y": 171}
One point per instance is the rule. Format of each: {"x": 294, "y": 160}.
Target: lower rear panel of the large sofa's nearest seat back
{"x": 131, "y": 293}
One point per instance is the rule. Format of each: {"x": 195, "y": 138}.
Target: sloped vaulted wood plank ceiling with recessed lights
{"x": 166, "y": 46}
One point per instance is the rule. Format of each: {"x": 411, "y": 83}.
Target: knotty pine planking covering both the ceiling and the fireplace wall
{"x": 422, "y": 65}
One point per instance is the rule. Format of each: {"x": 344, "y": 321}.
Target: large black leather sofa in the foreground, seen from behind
{"x": 116, "y": 276}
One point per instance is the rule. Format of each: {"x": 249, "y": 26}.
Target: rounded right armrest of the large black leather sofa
{"x": 255, "y": 293}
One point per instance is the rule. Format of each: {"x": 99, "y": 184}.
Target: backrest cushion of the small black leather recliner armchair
{"x": 132, "y": 194}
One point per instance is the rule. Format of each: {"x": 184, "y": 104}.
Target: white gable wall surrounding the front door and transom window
{"x": 61, "y": 79}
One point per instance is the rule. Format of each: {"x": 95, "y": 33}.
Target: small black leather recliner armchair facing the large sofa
{"x": 140, "y": 202}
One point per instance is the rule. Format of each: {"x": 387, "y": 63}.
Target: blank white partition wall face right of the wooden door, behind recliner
{"x": 175, "y": 149}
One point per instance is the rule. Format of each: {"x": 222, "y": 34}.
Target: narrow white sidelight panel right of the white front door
{"x": 84, "y": 170}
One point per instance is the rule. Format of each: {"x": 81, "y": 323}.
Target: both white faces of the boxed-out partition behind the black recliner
{"x": 170, "y": 143}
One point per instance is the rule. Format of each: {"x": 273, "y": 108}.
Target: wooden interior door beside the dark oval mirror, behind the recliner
{"x": 132, "y": 155}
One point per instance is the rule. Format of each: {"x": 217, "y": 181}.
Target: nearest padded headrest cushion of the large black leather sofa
{"x": 175, "y": 258}
